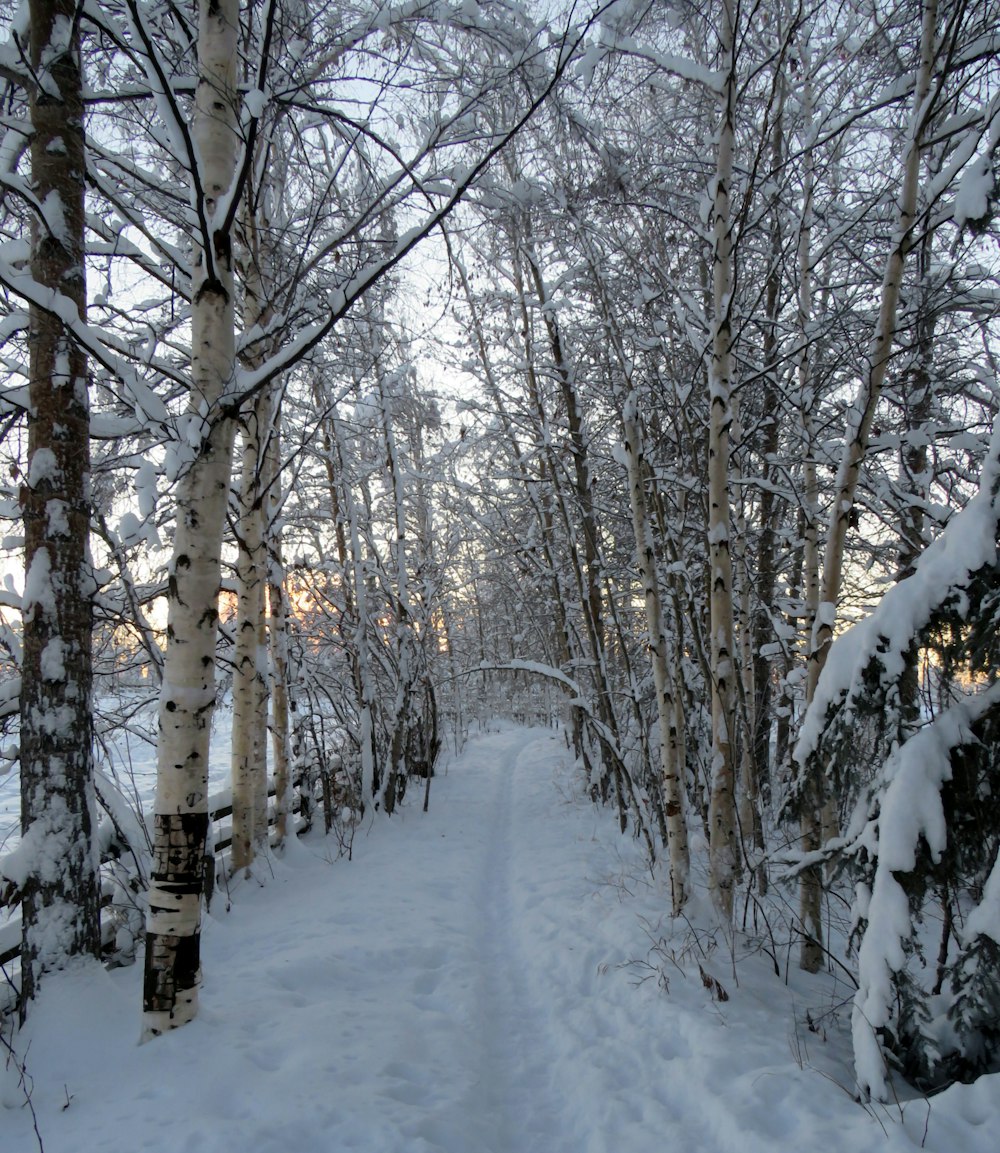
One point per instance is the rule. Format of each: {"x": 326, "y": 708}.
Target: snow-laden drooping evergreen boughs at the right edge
{"x": 906, "y": 822}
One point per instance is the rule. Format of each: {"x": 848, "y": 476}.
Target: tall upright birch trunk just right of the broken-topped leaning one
{"x": 724, "y": 848}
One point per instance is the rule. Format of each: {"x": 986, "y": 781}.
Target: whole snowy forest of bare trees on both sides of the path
{"x": 375, "y": 370}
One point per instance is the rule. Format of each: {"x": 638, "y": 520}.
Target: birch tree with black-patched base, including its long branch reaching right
{"x": 337, "y": 231}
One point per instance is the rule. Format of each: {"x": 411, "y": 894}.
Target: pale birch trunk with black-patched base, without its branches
{"x": 189, "y": 695}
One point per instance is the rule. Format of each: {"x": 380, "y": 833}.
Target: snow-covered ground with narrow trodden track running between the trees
{"x": 478, "y": 979}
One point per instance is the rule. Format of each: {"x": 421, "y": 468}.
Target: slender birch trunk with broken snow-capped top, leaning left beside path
{"x": 671, "y": 764}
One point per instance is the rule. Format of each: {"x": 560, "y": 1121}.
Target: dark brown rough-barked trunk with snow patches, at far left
{"x": 59, "y": 888}
